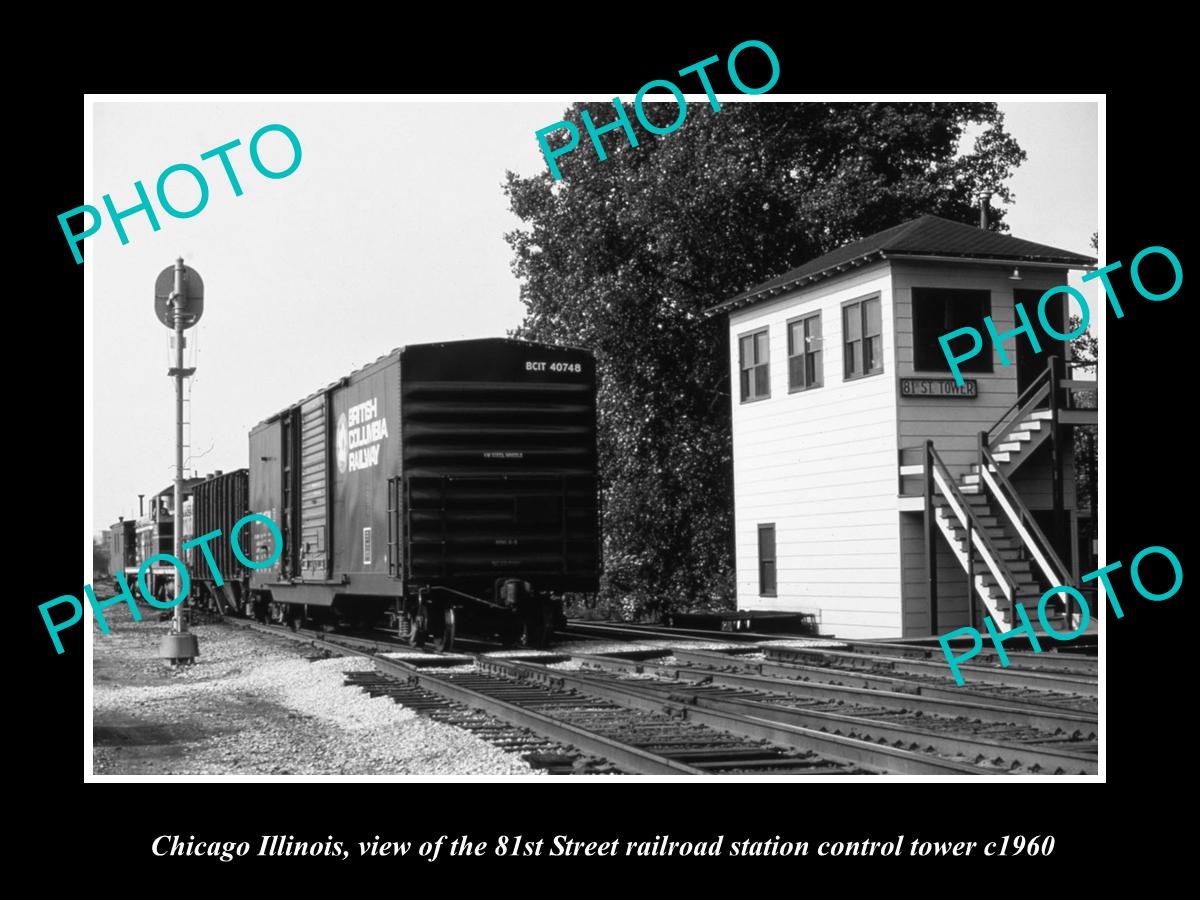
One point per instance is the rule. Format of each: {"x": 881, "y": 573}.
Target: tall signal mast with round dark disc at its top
{"x": 179, "y": 302}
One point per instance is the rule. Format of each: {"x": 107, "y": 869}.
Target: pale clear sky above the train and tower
{"x": 391, "y": 232}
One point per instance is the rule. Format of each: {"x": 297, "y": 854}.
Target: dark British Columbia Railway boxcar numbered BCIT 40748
{"x": 445, "y": 482}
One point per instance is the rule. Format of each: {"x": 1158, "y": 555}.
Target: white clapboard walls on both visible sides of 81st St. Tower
{"x": 823, "y": 465}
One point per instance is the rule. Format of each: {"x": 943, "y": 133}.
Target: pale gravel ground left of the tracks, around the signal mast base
{"x": 253, "y": 705}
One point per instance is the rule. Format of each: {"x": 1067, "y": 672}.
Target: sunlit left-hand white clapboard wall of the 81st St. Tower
{"x": 821, "y": 466}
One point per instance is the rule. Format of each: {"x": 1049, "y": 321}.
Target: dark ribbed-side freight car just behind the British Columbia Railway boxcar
{"x": 215, "y": 506}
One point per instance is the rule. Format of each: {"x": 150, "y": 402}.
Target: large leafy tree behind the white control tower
{"x": 623, "y": 256}
